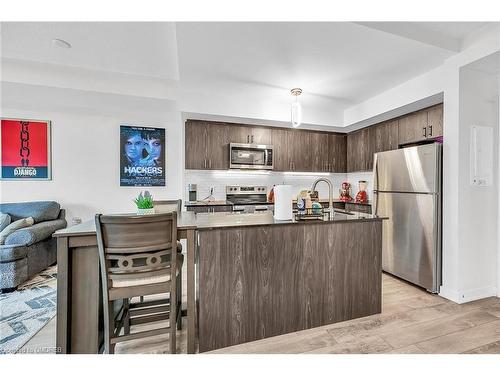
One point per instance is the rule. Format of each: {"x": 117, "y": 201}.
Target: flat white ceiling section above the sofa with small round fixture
{"x": 141, "y": 48}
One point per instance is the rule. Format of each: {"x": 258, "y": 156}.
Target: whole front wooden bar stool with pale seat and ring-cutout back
{"x": 138, "y": 257}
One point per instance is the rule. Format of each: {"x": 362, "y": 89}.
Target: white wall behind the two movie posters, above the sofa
{"x": 85, "y": 147}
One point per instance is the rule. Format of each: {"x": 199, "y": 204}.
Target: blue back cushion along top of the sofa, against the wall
{"x": 39, "y": 211}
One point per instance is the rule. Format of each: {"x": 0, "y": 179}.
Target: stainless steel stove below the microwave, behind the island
{"x": 248, "y": 198}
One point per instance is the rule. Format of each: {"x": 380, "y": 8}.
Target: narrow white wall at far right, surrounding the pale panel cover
{"x": 478, "y": 206}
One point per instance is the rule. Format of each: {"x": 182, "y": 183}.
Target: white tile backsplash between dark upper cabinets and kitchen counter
{"x": 218, "y": 180}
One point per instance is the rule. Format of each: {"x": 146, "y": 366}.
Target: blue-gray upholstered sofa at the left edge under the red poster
{"x": 29, "y": 250}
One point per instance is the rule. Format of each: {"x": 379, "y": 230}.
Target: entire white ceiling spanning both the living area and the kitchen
{"x": 341, "y": 63}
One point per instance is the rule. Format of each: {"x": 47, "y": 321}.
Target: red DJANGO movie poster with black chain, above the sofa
{"x": 25, "y": 149}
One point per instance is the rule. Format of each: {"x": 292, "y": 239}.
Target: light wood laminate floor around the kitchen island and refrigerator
{"x": 412, "y": 321}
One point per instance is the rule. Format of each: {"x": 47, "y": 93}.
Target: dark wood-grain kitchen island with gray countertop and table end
{"x": 252, "y": 277}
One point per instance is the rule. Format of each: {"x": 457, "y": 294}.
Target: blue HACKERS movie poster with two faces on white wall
{"x": 142, "y": 156}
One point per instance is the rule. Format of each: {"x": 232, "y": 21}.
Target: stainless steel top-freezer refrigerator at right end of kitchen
{"x": 407, "y": 190}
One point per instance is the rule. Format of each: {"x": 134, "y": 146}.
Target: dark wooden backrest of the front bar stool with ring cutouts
{"x": 133, "y": 246}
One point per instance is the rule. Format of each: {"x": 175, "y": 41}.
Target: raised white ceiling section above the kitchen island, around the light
{"x": 340, "y": 60}
